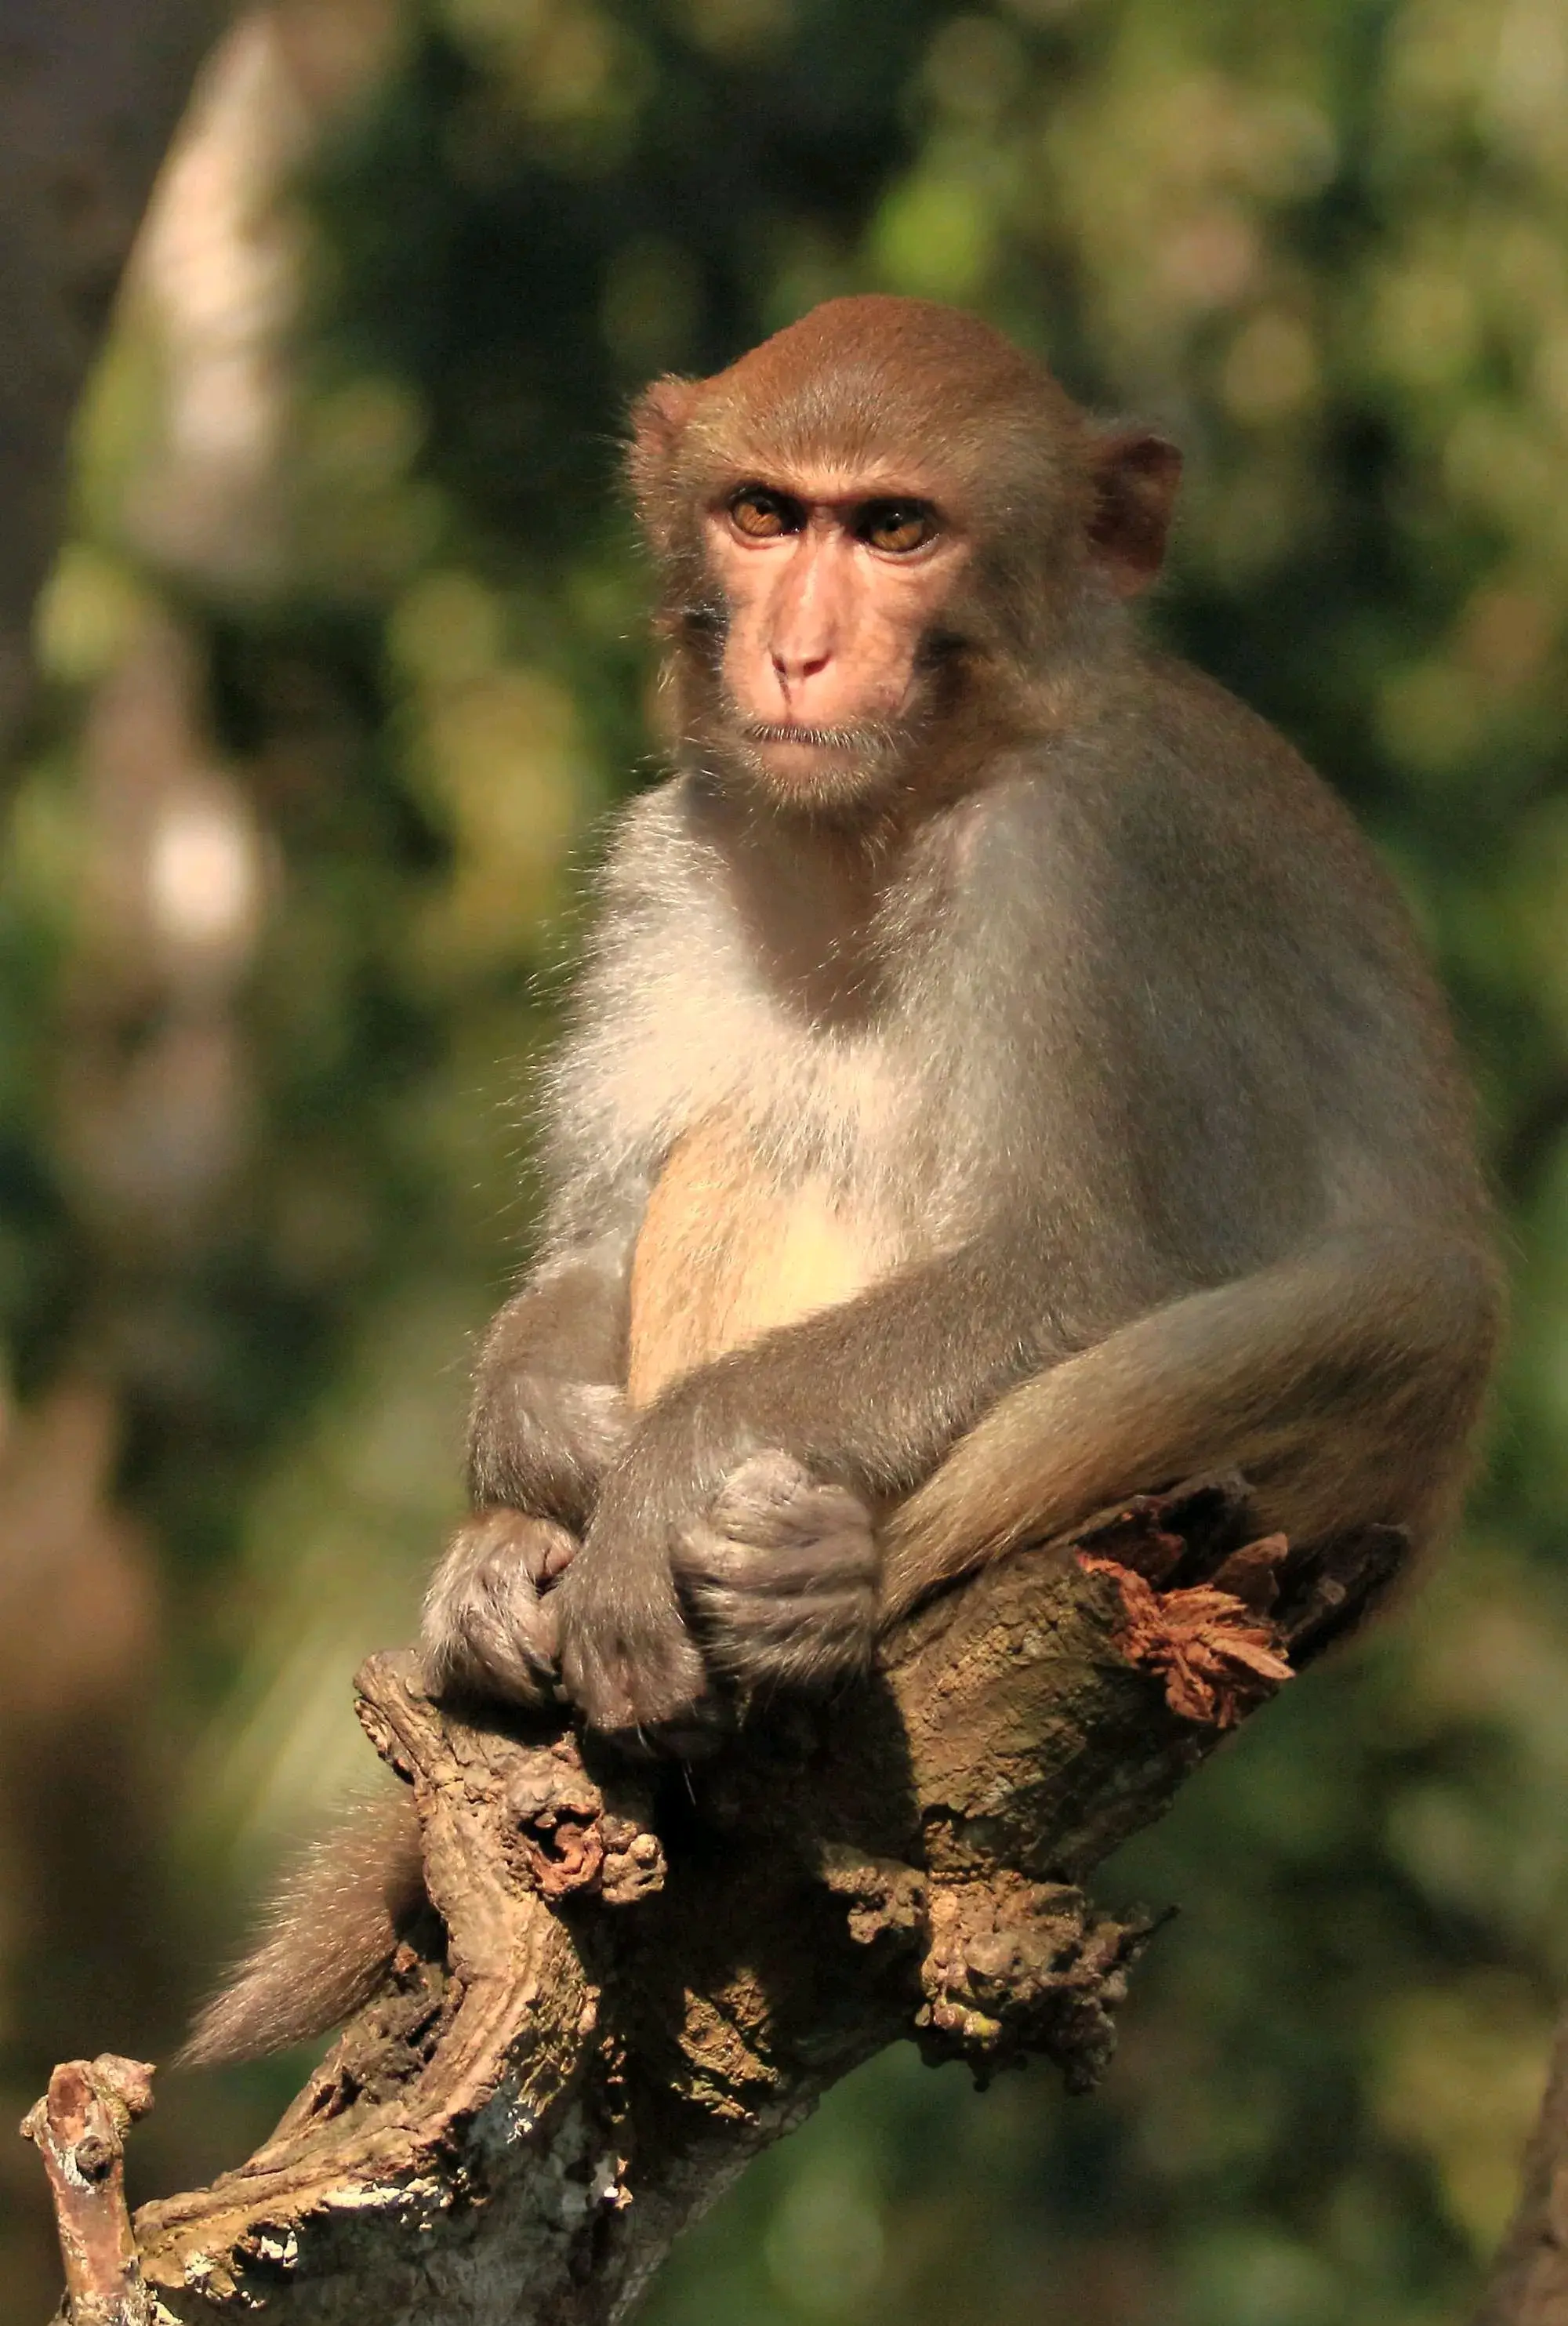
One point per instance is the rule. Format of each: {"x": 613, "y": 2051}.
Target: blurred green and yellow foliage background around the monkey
{"x": 345, "y": 666}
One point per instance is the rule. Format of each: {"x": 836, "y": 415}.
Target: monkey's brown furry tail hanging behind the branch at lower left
{"x": 327, "y": 1939}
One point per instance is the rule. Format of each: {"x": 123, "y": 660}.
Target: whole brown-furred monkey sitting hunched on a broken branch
{"x": 1002, "y": 1078}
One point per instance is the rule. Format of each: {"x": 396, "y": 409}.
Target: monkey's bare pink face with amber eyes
{"x": 834, "y": 590}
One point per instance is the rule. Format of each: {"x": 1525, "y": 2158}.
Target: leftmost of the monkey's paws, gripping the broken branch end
{"x": 490, "y": 1622}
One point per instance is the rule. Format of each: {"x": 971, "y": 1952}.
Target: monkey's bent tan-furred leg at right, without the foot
{"x": 1344, "y": 1383}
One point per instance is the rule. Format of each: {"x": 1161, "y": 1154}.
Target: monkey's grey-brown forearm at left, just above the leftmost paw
{"x": 550, "y": 1413}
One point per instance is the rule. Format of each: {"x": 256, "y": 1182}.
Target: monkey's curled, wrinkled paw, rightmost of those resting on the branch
{"x": 783, "y": 1576}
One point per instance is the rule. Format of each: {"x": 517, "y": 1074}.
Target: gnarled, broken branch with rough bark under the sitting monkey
{"x": 648, "y": 1976}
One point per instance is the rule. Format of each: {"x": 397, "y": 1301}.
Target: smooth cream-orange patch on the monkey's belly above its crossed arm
{"x": 729, "y": 1255}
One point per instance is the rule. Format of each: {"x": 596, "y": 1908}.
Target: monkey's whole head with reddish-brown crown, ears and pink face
{"x": 881, "y": 515}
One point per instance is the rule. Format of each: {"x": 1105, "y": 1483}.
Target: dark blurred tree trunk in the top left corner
{"x": 90, "y": 99}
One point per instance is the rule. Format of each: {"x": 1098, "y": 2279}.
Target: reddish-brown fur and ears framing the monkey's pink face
{"x": 906, "y": 397}
